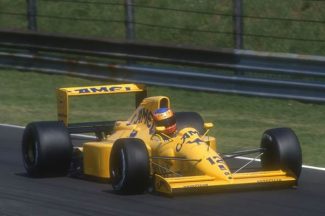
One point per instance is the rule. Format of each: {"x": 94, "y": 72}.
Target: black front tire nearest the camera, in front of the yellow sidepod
{"x": 129, "y": 166}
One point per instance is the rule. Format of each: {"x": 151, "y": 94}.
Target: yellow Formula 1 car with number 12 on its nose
{"x": 129, "y": 155}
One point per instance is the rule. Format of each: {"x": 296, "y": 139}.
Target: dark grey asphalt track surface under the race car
{"x": 21, "y": 195}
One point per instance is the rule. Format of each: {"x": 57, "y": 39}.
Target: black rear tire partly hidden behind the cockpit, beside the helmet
{"x": 189, "y": 119}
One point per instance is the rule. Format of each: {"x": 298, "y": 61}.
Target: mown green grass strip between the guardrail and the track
{"x": 239, "y": 120}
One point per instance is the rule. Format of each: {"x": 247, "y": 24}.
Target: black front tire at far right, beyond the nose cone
{"x": 282, "y": 151}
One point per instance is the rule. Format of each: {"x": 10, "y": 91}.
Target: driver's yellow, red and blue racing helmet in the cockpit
{"x": 165, "y": 117}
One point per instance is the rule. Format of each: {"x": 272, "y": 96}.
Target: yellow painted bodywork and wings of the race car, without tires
{"x": 186, "y": 162}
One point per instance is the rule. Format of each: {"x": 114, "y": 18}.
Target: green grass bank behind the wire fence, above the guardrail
{"x": 291, "y": 9}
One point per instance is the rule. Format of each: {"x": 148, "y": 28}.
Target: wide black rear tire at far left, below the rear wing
{"x": 46, "y": 149}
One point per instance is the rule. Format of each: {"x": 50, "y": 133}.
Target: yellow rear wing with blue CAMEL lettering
{"x": 63, "y": 95}
